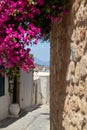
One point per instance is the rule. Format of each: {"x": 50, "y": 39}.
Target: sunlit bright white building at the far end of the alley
{"x": 41, "y": 87}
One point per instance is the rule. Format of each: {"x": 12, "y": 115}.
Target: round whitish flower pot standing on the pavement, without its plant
{"x": 14, "y": 109}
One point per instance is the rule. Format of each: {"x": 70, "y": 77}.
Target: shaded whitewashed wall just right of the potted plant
{"x": 26, "y": 89}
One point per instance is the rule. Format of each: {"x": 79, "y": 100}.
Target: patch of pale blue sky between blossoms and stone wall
{"x": 41, "y": 51}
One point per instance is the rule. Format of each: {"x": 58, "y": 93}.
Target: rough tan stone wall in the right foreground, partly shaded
{"x": 68, "y": 80}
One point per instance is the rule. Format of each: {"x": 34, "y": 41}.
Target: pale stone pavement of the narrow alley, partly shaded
{"x": 37, "y": 119}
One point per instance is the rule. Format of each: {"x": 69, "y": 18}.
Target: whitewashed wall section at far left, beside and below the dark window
{"x": 4, "y": 102}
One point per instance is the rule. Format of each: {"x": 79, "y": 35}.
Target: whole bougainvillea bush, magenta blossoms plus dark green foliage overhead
{"x": 23, "y": 22}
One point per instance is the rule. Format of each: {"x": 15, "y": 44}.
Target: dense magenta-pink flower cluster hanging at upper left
{"x": 16, "y": 32}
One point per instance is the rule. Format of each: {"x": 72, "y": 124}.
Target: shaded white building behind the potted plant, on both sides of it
{"x": 24, "y": 93}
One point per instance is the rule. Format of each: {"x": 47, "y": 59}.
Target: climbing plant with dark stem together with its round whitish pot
{"x": 13, "y": 76}
